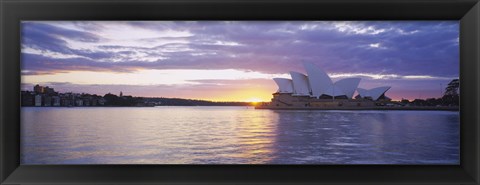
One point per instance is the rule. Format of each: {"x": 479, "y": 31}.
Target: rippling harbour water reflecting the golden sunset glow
{"x": 236, "y": 135}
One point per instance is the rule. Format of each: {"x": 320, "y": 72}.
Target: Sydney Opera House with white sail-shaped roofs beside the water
{"x": 317, "y": 90}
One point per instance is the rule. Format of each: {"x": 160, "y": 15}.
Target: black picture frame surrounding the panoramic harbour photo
{"x": 14, "y": 11}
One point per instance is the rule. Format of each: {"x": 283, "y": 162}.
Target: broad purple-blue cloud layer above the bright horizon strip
{"x": 414, "y": 51}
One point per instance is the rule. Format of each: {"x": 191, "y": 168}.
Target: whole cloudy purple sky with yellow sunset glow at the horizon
{"x": 236, "y": 60}
